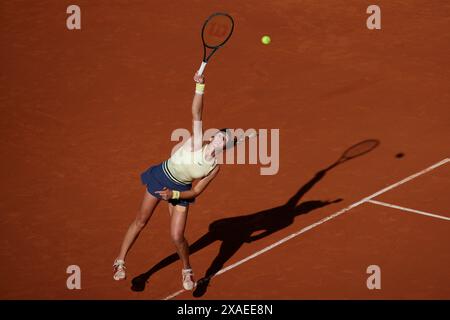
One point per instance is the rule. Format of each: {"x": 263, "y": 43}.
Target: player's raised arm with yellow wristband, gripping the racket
{"x": 197, "y": 109}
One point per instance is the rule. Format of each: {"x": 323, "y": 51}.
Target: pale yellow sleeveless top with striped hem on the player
{"x": 185, "y": 165}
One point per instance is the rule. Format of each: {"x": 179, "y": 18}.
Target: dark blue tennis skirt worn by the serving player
{"x": 155, "y": 178}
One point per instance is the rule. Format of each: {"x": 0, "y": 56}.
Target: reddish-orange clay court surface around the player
{"x": 83, "y": 113}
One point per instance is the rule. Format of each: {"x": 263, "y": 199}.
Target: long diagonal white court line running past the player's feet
{"x": 334, "y": 215}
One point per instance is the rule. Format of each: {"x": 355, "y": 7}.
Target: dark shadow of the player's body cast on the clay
{"x": 235, "y": 231}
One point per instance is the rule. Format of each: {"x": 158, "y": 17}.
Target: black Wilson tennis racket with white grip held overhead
{"x": 216, "y": 31}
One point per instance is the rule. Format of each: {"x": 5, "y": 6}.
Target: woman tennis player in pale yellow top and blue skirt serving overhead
{"x": 172, "y": 181}
